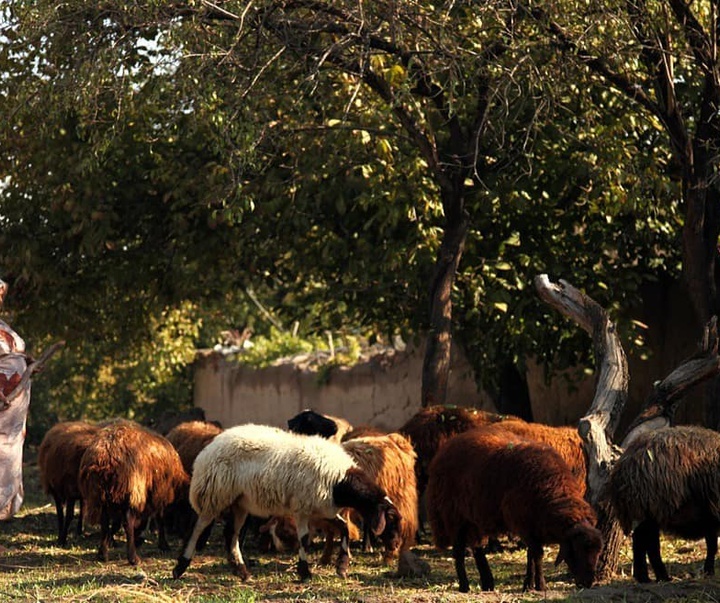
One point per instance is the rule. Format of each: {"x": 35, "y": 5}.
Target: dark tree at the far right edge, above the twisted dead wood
{"x": 661, "y": 56}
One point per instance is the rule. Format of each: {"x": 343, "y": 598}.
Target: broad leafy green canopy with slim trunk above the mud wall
{"x": 378, "y": 167}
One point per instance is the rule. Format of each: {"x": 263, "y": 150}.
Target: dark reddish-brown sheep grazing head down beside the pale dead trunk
{"x": 486, "y": 482}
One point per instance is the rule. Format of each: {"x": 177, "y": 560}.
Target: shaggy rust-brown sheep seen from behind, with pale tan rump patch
{"x": 129, "y": 474}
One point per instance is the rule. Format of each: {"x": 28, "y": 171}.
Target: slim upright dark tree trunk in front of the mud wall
{"x": 436, "y": 363}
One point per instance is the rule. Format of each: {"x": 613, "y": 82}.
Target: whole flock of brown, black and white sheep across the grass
{"x": 481, "y": 476}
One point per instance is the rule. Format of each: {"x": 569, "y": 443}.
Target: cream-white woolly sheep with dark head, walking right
{"x": 266, "y": 471}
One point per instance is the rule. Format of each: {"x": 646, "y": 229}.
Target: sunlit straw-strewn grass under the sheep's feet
{"x": 33, "y": 568}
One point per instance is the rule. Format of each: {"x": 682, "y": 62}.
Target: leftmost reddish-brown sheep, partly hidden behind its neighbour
{"x": 59, "y": 457}
